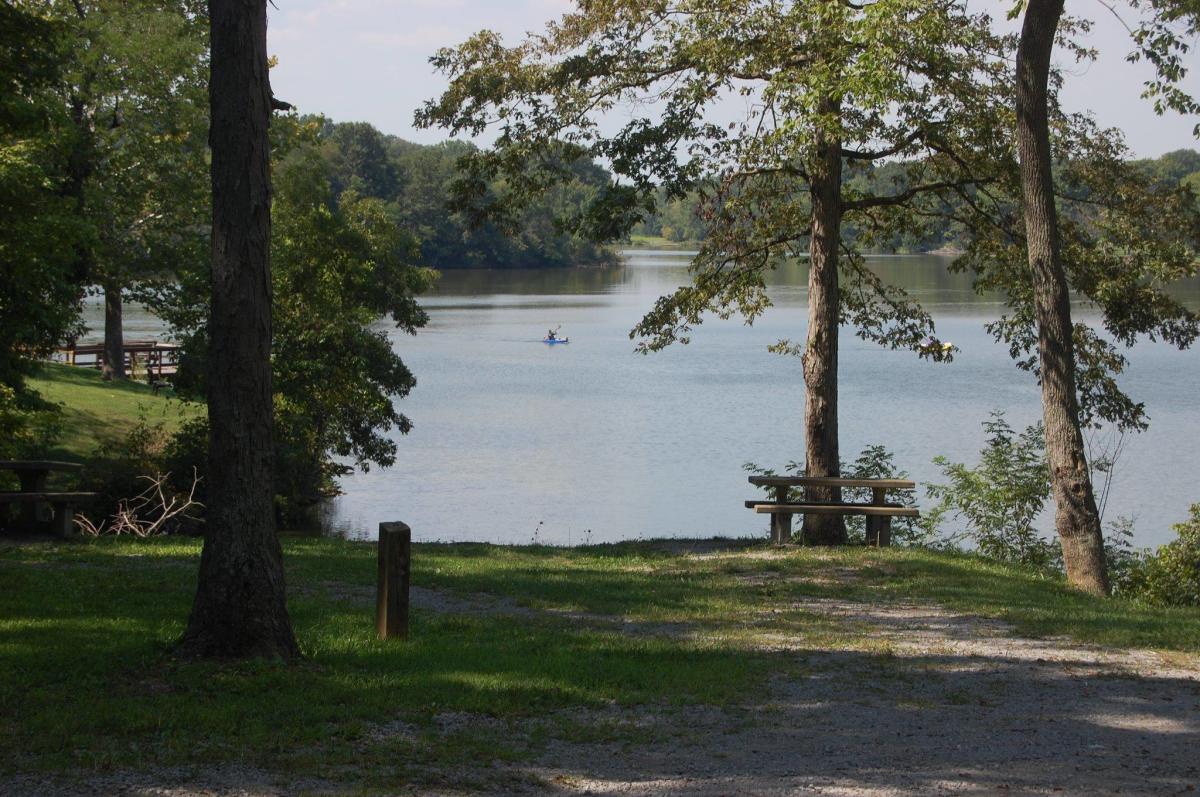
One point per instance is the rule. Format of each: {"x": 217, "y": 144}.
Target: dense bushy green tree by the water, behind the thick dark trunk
{"x": 339, "y": 265}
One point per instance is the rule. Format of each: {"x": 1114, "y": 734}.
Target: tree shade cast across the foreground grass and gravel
{"x": 87, "y": 680}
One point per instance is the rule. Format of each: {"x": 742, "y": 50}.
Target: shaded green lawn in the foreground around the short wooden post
{"x": 88, "y": 681}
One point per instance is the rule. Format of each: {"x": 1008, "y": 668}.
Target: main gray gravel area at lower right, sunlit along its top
{"x": 959, "y": 706}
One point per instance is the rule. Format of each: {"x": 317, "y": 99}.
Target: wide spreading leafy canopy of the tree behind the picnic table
{"x": 908, "y": 80}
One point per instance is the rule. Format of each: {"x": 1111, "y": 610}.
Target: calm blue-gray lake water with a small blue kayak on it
{"x": 517, "y": 441}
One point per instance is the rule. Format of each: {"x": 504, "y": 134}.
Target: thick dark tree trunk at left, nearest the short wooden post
{"x": 239, "y": 608}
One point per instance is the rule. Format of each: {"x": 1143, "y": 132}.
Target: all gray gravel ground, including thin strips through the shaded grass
{"x": 941, "y": 703}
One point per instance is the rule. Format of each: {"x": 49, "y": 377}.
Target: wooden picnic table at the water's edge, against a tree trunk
{"x": 879, "y": 513}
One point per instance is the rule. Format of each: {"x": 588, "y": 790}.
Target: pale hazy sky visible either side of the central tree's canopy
{"x": 368, "y": 61}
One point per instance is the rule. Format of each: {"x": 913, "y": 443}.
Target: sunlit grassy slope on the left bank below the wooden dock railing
{"x": 95, "y": 414}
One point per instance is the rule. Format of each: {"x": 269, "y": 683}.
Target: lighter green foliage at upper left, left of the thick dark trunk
{"x": 136, "y": 95}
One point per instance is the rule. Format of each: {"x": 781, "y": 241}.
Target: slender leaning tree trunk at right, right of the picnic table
{"x": 1076, "y": 516}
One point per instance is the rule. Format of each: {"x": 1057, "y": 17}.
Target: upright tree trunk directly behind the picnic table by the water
{"x": 821, "y": 453}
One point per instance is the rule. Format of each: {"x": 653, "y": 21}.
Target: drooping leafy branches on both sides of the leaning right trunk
{"x": 1126, "y": 239}
